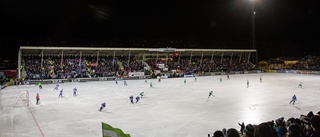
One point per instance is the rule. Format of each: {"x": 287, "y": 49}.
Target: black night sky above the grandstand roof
{"x": 286, "y": 28}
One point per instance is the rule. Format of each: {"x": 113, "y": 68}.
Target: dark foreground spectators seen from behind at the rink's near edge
{"x": 304, "y": 126}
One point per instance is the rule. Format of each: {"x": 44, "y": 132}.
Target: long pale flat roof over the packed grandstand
{"x": 36, "y": 50}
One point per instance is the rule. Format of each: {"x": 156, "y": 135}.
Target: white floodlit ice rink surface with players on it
{"x": 170, "y": 109}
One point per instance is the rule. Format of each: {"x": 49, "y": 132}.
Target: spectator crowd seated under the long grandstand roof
{"x": 51, "y": 67}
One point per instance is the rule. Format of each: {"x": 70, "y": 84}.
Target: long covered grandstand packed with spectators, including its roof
{"x": 70, "y": 62}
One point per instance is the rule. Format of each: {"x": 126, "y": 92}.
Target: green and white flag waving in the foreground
{"x": 109, "y": 131}
